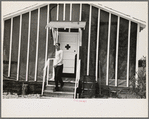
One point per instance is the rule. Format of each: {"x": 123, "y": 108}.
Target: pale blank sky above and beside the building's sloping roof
{"x": 138, "y": 10}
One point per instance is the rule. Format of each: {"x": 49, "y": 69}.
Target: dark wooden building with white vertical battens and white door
{"x": 98, "y": 42}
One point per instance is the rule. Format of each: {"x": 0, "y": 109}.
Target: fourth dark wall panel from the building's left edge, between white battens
{"x": 33, "y": 38}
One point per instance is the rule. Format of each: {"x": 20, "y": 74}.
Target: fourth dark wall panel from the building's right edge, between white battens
{"x": 103, "y": 41}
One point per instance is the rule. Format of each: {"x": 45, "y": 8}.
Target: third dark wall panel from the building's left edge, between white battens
{"x": 24, "y": 42}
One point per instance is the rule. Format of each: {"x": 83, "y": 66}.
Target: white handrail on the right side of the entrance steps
{"x": 77, "y": 77}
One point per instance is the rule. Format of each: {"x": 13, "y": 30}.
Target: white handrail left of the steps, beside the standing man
{"x": 44, "y": 73}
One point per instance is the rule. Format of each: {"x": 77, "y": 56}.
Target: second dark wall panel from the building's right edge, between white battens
{"x": 123, "y": 45}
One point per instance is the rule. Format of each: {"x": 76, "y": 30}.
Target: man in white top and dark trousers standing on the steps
{"x": 58, "y": 66}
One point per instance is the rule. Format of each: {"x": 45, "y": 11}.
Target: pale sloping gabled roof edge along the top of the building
{"x": 107, "y": 9}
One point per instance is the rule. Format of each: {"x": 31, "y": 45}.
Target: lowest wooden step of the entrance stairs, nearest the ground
{"x": 59, "y": 94}
